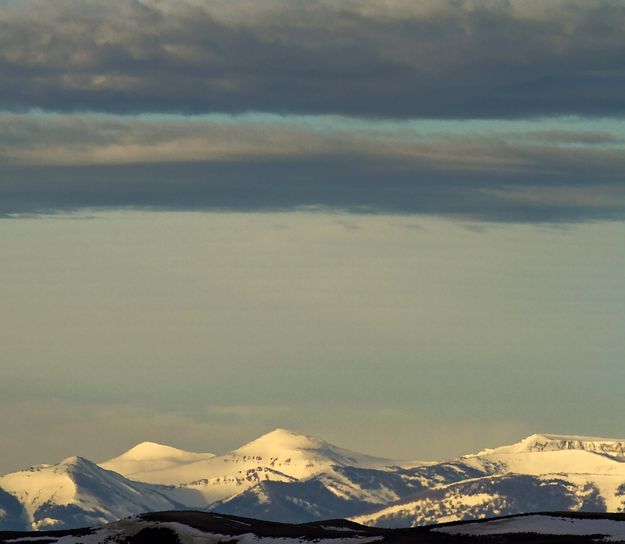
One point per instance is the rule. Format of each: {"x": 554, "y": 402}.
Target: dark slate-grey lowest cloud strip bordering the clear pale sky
{"x": 352, "y": 184}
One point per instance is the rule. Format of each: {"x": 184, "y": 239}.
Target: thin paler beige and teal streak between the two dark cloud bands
{"x": 112, "y": 139}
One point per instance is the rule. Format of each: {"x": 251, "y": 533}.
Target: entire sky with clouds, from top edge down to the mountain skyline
{"x": 395, "y": 225}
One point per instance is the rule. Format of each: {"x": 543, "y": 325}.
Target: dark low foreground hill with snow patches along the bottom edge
{"x": 190, "y": 527}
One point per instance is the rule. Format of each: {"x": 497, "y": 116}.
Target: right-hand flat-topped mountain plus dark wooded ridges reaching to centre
{"x": 541, "y": 472}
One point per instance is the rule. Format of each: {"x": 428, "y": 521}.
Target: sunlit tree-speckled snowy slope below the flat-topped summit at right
{"x": 541, "y": 472}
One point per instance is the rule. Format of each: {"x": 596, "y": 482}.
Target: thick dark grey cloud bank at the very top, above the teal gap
{"x": 445, "y": 59}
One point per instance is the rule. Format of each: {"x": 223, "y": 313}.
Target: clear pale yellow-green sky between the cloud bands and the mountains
{"x": 404, "y": 336}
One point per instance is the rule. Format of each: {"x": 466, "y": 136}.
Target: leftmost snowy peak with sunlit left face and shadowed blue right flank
{"x": 76, "y": 492}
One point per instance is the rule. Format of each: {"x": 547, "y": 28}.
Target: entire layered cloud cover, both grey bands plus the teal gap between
{"x": 314, "y": 104}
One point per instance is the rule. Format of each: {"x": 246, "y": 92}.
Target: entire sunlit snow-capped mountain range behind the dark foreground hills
{"x": 290, "y": 477}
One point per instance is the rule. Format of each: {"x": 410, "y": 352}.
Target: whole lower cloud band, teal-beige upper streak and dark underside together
{"x": 503, "y": 171}
